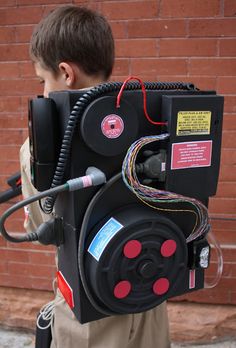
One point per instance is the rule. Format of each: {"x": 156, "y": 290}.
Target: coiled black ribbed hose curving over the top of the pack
{"x": 77, "y": 112}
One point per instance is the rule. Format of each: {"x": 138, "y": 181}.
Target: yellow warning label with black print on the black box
{"x": 193, "y": 122}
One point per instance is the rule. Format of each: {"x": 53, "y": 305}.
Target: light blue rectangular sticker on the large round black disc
{"x": 103, "y": 237}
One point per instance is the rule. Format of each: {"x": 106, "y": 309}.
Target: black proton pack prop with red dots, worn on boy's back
{"x": 148, "y": 155}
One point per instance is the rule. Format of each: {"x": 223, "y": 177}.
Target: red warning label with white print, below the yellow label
{"x": 191, "y": 154}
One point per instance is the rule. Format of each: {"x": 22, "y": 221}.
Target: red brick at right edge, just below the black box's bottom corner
{"x": 222, "y": 206}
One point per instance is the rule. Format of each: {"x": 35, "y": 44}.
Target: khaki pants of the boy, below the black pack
{"x": 142, "y": 330}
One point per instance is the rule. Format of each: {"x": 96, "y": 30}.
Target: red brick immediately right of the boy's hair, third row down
{"x": 136, "y": 48}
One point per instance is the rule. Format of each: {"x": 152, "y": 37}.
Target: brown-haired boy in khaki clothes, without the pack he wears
{"x": 73, "y": 48}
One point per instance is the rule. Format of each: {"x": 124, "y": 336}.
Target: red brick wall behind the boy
{"x": 189, "y": 40}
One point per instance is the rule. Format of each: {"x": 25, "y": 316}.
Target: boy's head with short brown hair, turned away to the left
{"x": 72, "y": 47}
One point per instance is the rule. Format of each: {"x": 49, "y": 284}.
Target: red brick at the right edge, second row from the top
{"x": 212, "y": 27}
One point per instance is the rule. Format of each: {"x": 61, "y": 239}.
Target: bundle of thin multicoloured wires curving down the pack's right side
{"x": 156, "y": 198}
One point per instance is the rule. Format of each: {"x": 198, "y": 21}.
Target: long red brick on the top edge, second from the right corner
{"x": 190, "y": 8}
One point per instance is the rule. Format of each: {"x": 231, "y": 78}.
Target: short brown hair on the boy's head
{"x": 74, "y": 34}
